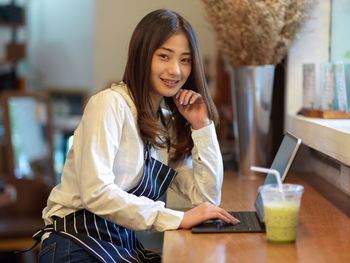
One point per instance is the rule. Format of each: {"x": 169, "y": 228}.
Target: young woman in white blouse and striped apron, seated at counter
{"x": 152, "y": 131}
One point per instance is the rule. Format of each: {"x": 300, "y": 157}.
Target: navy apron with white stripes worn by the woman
{"x": 107, "y": 241}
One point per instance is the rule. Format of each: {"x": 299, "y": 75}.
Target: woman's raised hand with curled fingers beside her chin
{"x": 191, "y": 105}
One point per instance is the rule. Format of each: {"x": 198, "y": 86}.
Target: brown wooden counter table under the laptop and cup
{"x": 323, "y": 233}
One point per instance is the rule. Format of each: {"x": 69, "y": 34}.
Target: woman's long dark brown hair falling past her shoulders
{"x": 150, "y": 33}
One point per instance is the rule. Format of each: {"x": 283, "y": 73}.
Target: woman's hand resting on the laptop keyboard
{"x": 204, "y": 212}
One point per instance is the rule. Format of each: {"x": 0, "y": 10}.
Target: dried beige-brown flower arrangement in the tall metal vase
{"x": 256, "y": 32}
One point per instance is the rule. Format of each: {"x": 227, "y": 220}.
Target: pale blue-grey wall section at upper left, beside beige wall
{"x": 60, "y": 36}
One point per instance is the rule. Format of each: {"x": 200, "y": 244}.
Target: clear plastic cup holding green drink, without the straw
{"x": 281, "y": 211}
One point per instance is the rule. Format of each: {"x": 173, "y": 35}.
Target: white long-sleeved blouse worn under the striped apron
{"x": 106, "y": 160}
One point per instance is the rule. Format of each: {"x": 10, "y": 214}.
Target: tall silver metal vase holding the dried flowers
{"x": 252, "y": 88}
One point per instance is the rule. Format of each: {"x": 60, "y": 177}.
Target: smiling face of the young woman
{"x": 170, "y": 68}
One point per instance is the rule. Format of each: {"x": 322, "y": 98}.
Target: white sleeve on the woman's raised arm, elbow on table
{"x": 200, "y": 177}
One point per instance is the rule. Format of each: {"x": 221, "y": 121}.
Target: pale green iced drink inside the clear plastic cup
{"x": 281, "y": 221}
